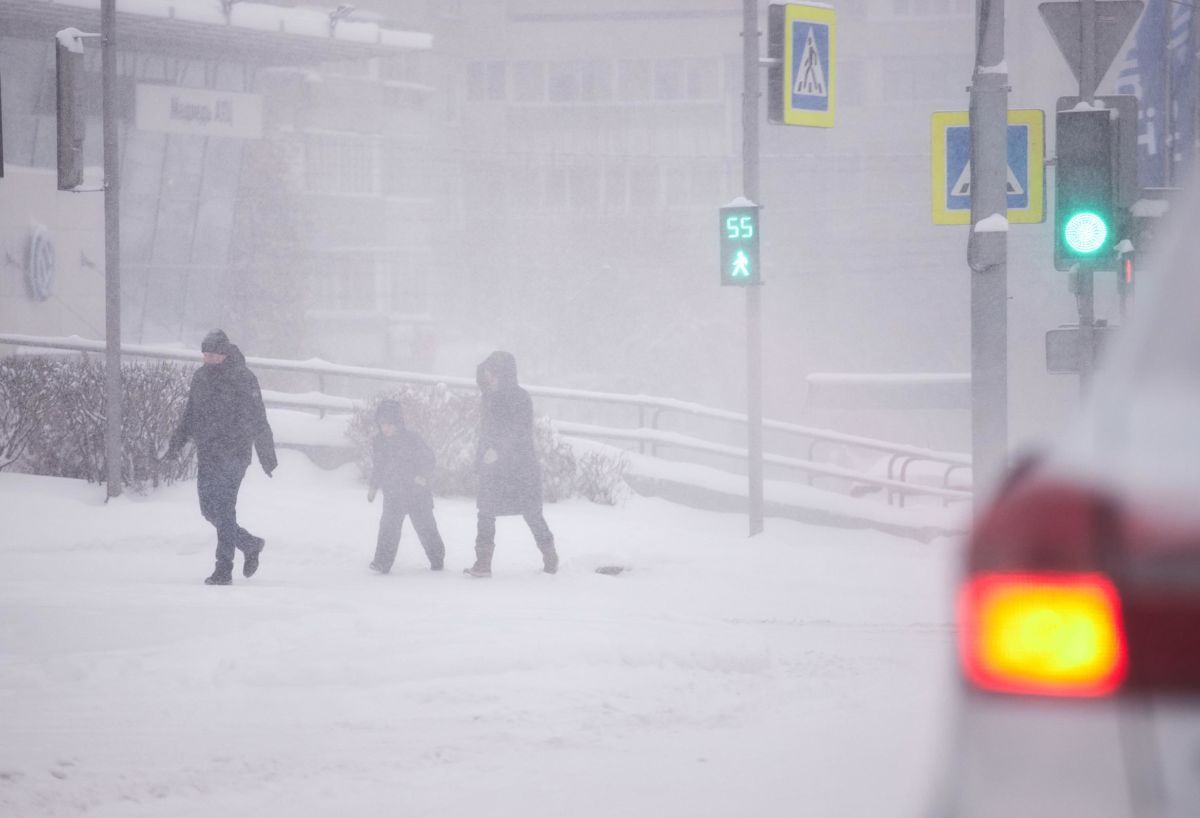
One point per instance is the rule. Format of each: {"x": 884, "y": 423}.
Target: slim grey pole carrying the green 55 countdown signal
{"x": 751, "y": 83}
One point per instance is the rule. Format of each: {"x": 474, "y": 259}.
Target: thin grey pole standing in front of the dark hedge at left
{"x": 112, "y": 251}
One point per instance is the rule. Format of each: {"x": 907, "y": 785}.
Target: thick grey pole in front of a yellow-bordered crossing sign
{"x": 988, "y": 248}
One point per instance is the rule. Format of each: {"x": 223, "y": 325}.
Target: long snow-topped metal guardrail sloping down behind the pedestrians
{"x": 647, "y": 435}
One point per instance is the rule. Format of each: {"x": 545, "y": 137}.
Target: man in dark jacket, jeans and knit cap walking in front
{"x": 226, "y": 418}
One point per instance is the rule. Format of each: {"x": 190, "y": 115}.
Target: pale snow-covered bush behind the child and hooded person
{"x": 449, "y": 423}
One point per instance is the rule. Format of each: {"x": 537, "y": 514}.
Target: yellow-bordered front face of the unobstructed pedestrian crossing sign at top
{"x": 809, "y": 68}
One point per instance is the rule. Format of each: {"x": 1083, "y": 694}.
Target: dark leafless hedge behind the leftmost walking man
{"x": 64, "y": 399}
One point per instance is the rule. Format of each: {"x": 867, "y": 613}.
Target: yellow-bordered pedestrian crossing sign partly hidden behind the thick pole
{"x": 952, "y": 167}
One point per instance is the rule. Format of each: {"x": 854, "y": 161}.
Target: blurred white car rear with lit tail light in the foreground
{"x": 1079, "y": 602}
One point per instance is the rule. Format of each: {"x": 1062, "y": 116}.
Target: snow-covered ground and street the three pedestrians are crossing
{"x": 806, "y": 672}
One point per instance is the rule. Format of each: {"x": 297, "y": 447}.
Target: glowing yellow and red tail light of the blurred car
{"x": 1048, "y": 635}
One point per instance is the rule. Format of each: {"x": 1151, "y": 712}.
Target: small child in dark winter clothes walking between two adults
{"x": 403, "y": 466}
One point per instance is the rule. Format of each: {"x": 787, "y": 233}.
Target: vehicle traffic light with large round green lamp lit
{"x": 1085, "y": 190}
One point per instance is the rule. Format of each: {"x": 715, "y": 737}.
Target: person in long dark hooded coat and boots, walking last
{"x": 507, "y": 462}
